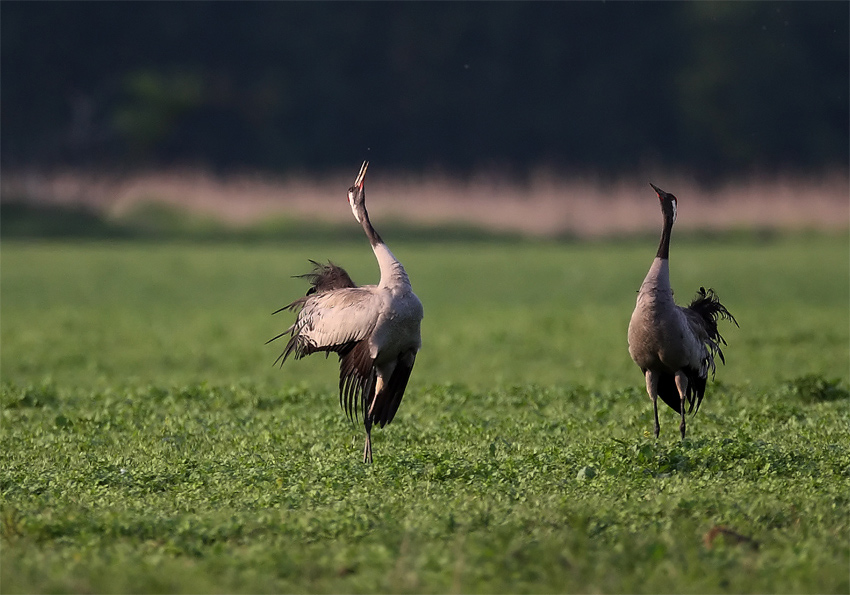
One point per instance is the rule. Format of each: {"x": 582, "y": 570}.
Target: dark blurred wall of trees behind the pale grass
{"x": 713, "y": 88}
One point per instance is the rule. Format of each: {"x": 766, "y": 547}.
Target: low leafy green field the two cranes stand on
{"x": 149, "y": 445}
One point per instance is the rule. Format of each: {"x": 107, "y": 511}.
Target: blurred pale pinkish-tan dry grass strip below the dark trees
{"x": 546, "y": 205}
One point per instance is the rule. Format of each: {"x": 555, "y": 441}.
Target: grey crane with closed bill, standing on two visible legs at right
{"x": 674, "y": 346}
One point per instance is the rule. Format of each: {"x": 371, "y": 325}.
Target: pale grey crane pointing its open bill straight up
{"x": 374, "y": 329}
